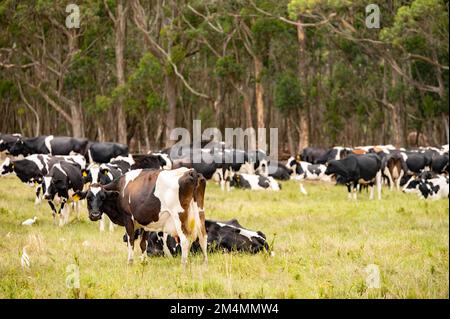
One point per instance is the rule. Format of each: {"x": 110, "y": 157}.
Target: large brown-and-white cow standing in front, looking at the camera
{"x": 171, "y": 201}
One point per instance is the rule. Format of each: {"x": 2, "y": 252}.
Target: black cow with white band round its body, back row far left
{"x": 59, "y": 145}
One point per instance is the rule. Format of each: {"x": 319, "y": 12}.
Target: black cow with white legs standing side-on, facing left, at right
{"x": 356, "y": 170}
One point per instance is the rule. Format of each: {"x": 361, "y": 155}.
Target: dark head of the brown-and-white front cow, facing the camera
{"x": 95, "y": 197}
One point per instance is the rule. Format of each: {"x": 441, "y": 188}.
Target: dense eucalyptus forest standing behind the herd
{"x": 136, "y": 69}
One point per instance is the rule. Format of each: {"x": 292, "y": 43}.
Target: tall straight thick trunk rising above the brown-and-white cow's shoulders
{"x": 120, "y": 27}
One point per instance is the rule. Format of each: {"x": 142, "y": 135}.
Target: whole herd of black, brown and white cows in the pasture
{"x": 159, "y": 196}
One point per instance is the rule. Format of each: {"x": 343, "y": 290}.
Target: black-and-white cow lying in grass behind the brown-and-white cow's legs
{"x": 222, "y": 236}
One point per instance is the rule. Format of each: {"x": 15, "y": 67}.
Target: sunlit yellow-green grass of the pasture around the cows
{"x": 322, "y": 244}
